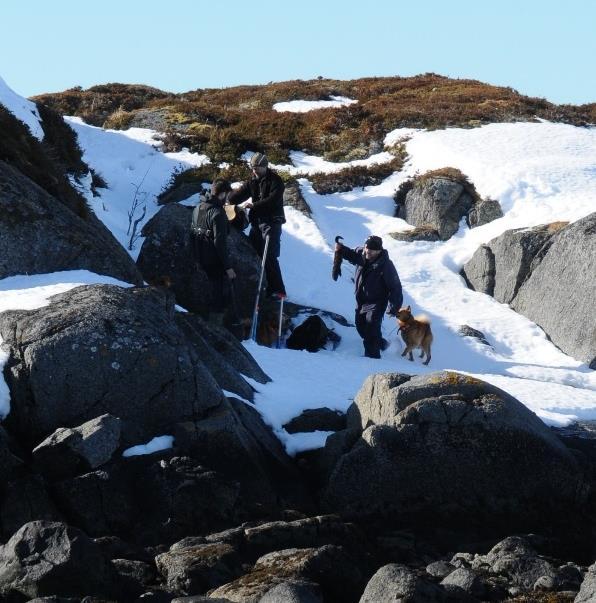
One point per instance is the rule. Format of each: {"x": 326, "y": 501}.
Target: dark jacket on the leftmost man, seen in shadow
{"x": 210, "y": 229}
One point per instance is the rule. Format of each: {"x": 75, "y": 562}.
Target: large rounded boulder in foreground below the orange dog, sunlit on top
{"x": 450, "y": 446}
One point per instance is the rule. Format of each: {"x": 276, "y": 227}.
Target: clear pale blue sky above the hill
{"x": 541, "y": 48}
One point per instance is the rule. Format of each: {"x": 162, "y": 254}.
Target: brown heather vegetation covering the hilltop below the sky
{"x": 226, "y": 122}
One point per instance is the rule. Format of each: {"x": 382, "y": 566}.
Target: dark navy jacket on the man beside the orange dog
{"x": 376, "y": 283}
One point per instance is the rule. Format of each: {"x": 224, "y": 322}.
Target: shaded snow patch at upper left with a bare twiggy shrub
{"x": 134, "y": 168}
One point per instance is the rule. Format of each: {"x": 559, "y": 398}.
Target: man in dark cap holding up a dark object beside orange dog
{"x": 376, "y": 284}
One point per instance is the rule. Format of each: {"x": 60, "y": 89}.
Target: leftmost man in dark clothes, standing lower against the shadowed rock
{"x": 210, "y": 231}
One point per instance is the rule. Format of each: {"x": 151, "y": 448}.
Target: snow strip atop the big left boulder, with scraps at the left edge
{"x": 24, "y": 292}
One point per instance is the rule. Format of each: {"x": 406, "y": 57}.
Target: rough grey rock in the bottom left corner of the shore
{"x": 45, "y": 558}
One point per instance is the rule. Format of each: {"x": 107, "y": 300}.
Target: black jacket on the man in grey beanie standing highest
{"x": 267, "y": 197}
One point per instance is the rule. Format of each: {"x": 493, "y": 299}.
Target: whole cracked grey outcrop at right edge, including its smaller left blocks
{"x": 542, "y": 273}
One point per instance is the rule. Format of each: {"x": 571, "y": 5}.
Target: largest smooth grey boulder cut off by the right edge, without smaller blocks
{"x": 565, "y": 277}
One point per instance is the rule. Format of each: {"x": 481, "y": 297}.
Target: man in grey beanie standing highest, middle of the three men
{"x": 266, "y": 191}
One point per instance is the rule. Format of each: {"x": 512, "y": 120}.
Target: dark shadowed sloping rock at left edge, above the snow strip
{"x": 38, "y": 234}
